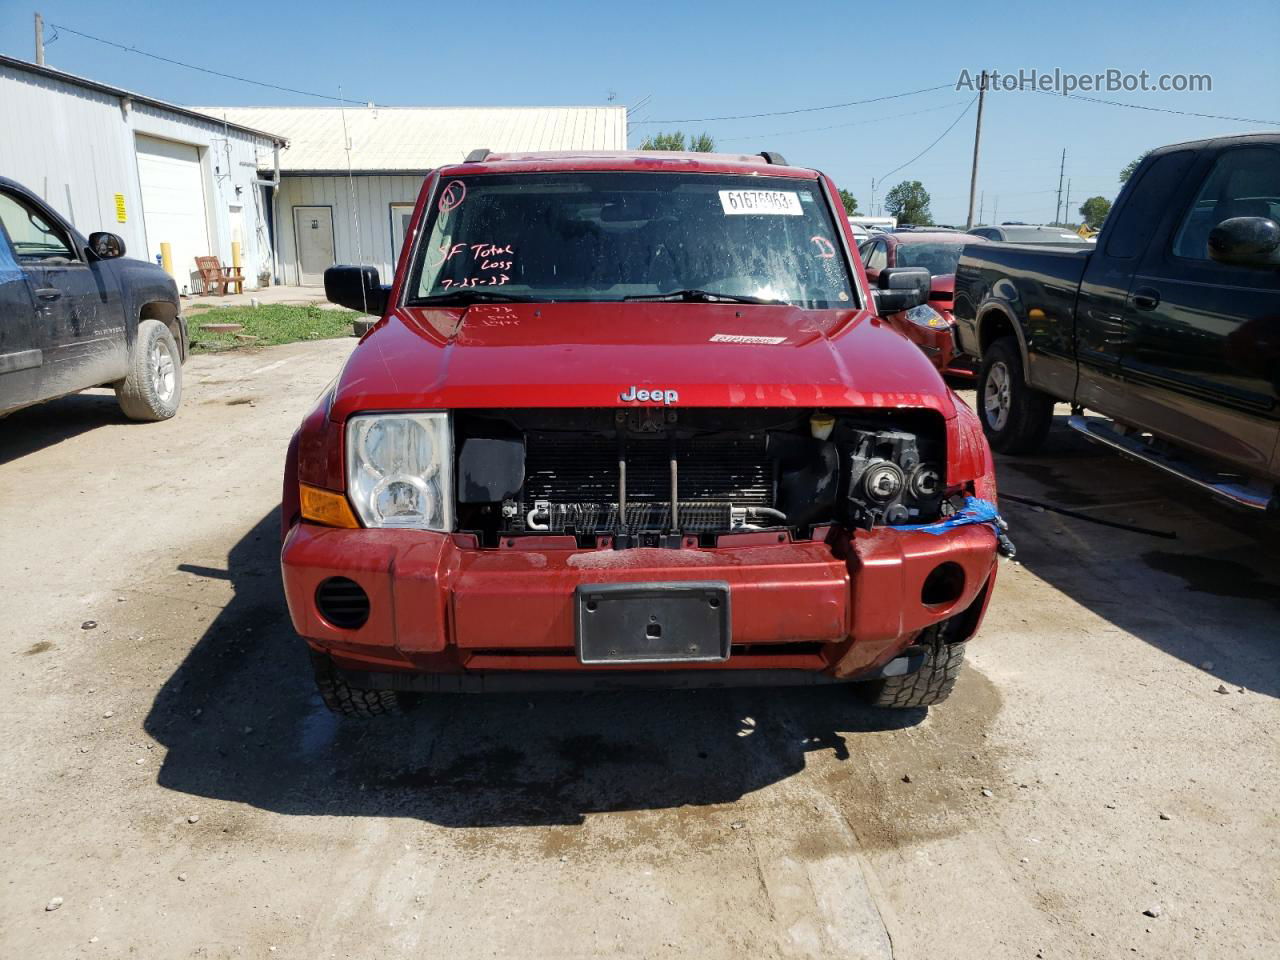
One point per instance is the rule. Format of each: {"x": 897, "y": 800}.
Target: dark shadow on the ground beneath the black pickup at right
{"x": 1212, "y": 597}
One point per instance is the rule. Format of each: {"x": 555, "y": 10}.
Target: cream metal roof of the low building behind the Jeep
{"x": 419, "y": 139}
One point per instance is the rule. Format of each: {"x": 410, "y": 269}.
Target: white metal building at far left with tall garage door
{"x": 152, "y": 172}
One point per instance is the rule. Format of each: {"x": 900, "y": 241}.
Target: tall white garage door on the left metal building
{"x": 173, "y": 205}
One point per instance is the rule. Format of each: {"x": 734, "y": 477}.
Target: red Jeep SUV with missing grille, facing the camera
{"x": 634, "y": 419}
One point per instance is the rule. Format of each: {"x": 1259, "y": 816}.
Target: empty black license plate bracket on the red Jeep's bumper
{"x": 664, "y": 623}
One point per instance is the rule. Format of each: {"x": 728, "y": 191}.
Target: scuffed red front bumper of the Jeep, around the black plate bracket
{"x": 433, "y": 595}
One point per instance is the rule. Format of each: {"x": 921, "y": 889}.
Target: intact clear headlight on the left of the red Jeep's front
{"x": 400, "y": 470}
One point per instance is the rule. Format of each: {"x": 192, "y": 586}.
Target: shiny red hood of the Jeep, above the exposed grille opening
{"x": 586, "y": 355}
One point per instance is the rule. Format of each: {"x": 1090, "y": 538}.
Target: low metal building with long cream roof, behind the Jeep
{"x": 331, "y": 213}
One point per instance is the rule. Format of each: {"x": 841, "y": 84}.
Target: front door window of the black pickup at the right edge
{"x": 1245, "y": 182}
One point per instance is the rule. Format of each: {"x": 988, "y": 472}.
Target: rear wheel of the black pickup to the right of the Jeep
{"x": 1014, "y": 417}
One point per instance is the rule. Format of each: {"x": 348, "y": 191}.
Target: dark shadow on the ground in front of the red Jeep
{"x": 241, "y": 721}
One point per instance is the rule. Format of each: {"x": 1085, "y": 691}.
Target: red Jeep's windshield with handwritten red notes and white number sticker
{"x": 618, "y": 236}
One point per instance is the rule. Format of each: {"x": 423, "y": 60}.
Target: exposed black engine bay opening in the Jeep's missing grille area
{"x": 660, "y": 477}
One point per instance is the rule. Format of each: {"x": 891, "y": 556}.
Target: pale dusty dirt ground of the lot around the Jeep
{"x": 170, "y": 774}
